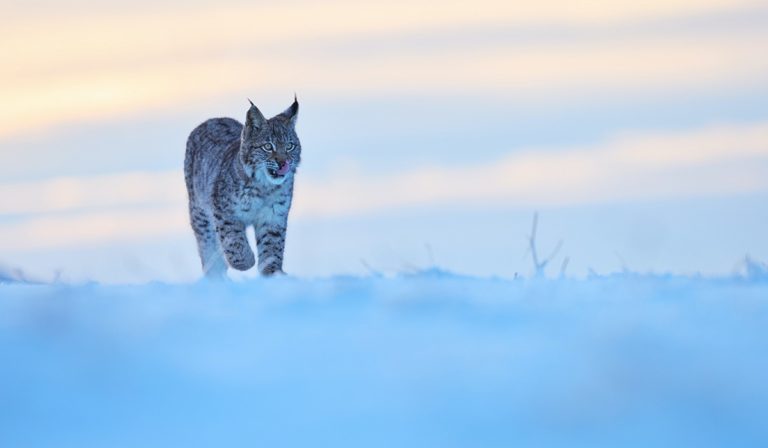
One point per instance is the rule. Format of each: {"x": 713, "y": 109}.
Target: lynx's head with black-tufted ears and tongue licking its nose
{"x": 270, "y": 150}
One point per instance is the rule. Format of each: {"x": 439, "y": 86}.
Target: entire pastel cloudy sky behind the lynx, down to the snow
{"x": 431, "y": 132}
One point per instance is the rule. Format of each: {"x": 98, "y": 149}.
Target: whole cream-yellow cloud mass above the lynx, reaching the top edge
{"x": 67, "y": 68}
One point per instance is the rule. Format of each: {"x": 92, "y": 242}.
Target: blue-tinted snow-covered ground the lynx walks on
{"x": 425, "y": 360}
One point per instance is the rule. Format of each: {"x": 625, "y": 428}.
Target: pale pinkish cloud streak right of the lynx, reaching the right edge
{"x": 716, "y": 161}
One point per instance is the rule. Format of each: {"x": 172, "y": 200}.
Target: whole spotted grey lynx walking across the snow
{"x": 234, "y": 181}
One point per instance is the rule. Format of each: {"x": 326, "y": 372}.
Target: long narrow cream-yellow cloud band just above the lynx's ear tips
{"x": 520, "y": 72}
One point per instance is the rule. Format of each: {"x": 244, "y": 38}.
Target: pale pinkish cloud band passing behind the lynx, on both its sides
{"x": 716, "y": 161}
